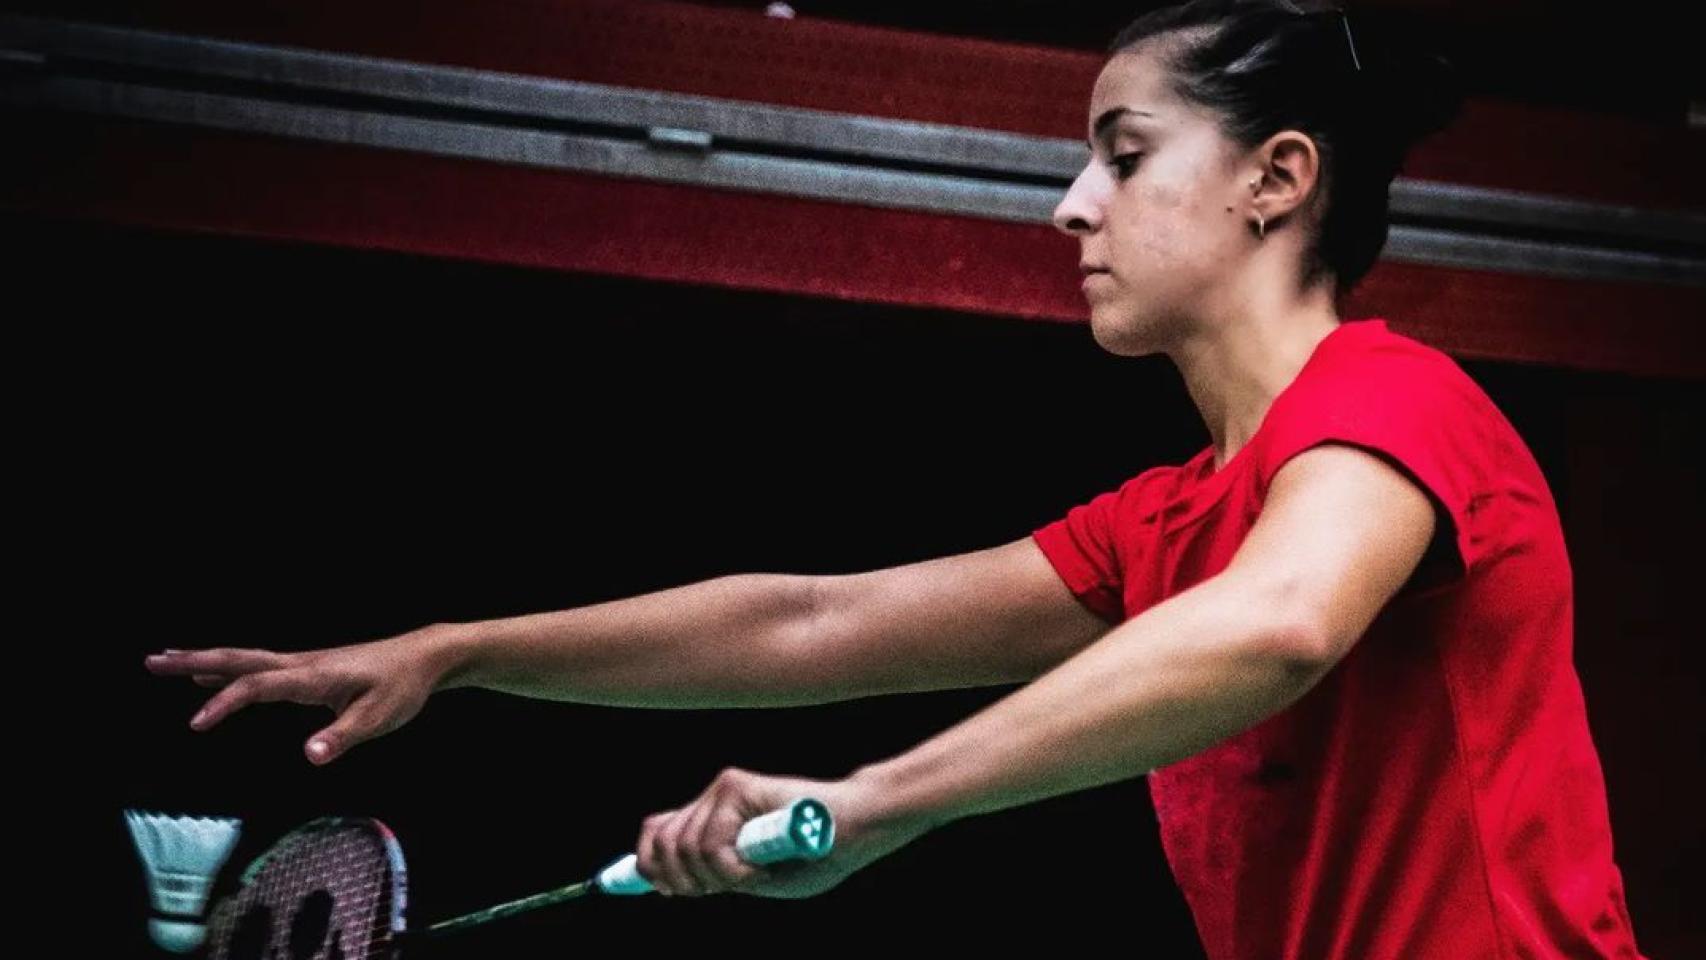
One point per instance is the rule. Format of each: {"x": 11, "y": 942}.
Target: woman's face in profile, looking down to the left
{"x": 1158, "y": 211}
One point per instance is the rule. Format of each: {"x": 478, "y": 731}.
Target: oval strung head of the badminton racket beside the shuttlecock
{"x": 334, "y": 889}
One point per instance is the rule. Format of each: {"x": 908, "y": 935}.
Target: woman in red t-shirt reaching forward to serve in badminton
{"x": 1338, "y": 639}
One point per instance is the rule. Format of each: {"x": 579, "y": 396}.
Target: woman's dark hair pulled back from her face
{"x": 1270, "y": 66}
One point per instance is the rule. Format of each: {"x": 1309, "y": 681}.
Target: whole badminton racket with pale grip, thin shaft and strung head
{"x": 337, "y": 889}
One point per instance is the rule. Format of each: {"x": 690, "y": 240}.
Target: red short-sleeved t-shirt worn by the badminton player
{"x": 1437, "y": 794}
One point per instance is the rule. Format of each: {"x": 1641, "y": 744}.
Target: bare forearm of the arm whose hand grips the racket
{"x": 1163, "y": 686}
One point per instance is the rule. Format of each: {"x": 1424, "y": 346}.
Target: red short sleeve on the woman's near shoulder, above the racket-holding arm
{"x": 1415, "y": 410}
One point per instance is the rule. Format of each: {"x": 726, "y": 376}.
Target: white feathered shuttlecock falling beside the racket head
{"x": 182, "y": 857}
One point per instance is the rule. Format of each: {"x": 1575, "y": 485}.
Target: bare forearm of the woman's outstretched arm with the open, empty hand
{"x": 721, "y": 644}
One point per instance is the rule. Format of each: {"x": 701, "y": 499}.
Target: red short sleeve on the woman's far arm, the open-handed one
{"x": 1086, "y": 550}
